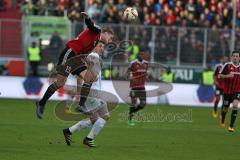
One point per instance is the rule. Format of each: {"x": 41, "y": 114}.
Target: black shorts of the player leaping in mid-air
{"x": 68, "y": 63}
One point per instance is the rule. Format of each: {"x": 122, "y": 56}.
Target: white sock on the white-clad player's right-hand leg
{"x": 96, "y": 128}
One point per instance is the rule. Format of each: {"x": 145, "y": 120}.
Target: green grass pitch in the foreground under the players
{"x": 23, "y": 136}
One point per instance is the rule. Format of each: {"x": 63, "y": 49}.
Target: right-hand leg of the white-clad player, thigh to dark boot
{"x": 98, "y": 118}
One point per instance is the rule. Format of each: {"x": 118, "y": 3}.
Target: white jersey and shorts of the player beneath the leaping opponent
{"x": 95, "y": 103}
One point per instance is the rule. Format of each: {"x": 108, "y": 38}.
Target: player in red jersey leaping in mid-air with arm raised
{"x": 73, "y": 60}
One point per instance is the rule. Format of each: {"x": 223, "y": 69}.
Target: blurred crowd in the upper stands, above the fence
{"x": 191, "y": 13}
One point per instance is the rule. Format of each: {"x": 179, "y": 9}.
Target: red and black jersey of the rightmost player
{"x": 231, "y": 85}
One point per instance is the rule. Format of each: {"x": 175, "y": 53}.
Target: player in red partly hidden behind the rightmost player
{"x": 218, "y": 84}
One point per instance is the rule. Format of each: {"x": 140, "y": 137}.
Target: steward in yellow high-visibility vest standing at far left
{"x": 34, "y": 58}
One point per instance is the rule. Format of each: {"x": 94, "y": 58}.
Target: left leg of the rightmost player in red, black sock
{"x": 225, "y": 106}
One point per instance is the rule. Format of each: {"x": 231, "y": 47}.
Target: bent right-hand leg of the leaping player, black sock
{"x": 89, "y": 77}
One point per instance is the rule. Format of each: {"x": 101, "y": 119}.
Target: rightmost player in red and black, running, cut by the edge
{"x": 230, "y": 74}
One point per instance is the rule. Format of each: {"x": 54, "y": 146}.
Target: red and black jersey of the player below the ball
{"x": 138, "y": 69}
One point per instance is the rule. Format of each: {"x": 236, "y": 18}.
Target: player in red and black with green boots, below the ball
{"x": 137, "y": 73}
